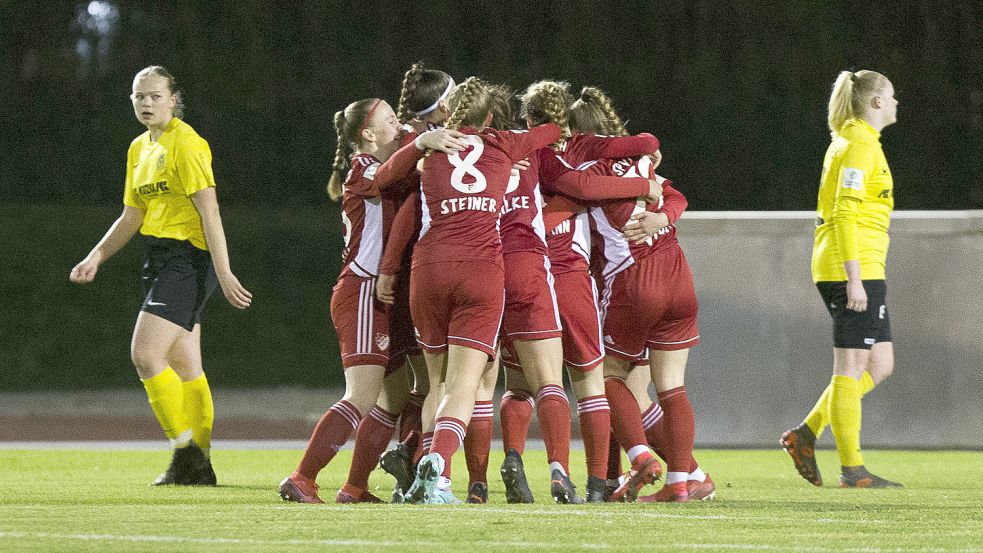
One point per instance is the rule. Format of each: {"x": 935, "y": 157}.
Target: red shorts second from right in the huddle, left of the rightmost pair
{"x": 582, "y": 348}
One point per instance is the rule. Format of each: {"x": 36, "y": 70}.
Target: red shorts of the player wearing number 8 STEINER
{"x": 457, "y": 302}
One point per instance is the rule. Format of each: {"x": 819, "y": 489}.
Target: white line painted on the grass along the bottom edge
{"x": 483, "y": 543}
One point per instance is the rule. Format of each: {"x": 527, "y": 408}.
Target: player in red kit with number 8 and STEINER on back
{"x": 457, "y": 283}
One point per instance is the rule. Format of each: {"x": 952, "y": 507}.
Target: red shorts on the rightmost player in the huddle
{"x": 653, "y": 304}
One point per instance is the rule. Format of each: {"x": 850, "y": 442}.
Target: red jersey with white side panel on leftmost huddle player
{"x": 366, "y": 212}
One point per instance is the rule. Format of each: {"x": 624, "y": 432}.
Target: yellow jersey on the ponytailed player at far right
{"x": 856, "y": 196}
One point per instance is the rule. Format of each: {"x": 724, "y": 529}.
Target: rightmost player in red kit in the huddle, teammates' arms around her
{"x": 649, "y": 302}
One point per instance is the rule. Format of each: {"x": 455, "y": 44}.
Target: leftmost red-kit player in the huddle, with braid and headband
{"x": 369, "y": 127}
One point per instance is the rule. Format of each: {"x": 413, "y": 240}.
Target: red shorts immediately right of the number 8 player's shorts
{"x": 531, "y": 312}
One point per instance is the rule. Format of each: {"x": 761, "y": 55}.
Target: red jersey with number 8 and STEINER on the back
{"x": 463, "y": 193}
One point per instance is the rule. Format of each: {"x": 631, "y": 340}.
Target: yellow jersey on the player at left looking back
{"x": 162, "y": 176}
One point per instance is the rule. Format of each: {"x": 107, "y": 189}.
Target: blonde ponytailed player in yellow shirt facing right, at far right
{"x": 856, "y": 196}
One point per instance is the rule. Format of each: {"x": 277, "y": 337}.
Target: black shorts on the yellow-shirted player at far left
{"x": 178, "y": 279}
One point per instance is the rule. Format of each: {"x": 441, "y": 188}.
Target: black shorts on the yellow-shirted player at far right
{"x": 852, "y": 329}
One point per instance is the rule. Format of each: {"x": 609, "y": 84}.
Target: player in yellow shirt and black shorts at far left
{"x": 170, "y": 199}
